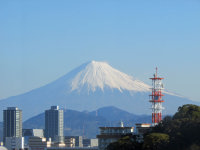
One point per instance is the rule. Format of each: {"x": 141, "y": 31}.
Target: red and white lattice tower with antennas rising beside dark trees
{"x": 156, "y": 99}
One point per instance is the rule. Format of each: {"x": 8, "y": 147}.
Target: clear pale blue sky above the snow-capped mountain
{"x": 41, "y": 40}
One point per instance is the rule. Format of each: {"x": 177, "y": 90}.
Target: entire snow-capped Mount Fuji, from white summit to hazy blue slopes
{"x": 91, "y": 86}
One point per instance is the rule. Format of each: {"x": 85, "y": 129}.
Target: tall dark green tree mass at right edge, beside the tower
{"x": 183, "y": 128}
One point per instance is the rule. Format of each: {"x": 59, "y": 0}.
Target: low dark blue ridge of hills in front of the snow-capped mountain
{"x": 87, "y": 123}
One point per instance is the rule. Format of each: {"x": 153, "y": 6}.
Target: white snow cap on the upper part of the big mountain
{"x": 101, "y": 75}
